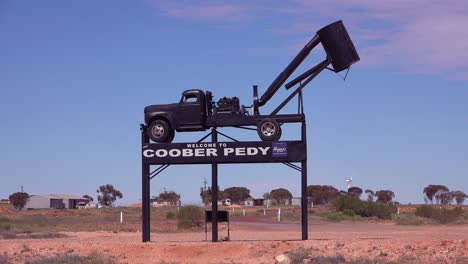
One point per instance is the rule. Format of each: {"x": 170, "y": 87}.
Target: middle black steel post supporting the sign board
{"x": 214, "y": 192}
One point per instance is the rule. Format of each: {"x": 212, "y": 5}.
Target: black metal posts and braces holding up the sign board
{"x": 147, "y": 175}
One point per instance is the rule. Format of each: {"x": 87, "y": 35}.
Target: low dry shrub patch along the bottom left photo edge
{"x": 92, "y": 258}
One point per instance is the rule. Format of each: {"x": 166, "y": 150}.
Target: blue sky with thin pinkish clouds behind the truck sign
{"x": 75, "y": 77}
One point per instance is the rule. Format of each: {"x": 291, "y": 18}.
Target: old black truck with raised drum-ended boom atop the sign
{"x": 198, "y": 111}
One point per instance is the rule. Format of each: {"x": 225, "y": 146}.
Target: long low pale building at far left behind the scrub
{"x": 54, "y": 201}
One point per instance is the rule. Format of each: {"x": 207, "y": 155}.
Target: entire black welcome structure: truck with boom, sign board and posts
{"x": 341, "y": 54}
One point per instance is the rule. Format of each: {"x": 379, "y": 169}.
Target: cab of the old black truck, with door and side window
{"x": 192, "y": 108}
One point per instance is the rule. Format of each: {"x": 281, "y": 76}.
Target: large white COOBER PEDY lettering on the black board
{"x": 205, "y": 152}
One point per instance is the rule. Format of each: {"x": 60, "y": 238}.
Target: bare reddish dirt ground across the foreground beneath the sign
{"x": 259, "y": 243}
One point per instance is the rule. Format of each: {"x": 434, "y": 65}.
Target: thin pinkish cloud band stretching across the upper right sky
{"x": 415, "y": 36}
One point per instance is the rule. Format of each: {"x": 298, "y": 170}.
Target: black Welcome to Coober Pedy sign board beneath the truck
{"x": 224, "y": 152}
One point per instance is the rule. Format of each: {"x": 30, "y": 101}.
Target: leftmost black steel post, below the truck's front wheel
{"x": 145, "y": 192}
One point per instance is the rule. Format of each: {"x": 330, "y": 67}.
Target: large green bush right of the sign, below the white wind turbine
{"x": 363, "y": 208}
